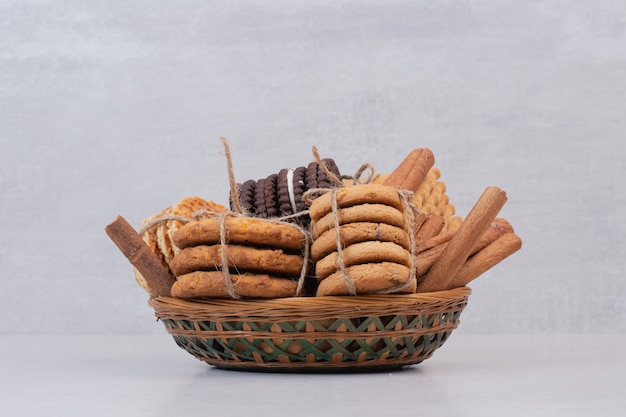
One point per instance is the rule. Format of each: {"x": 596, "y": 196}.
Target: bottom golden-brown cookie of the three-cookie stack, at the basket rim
{"x": 213, "y": 284}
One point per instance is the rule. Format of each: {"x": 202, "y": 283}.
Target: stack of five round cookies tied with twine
{"x": 361, "y": 242}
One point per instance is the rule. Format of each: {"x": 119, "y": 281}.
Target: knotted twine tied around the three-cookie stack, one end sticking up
{"x": 238, "y": 212}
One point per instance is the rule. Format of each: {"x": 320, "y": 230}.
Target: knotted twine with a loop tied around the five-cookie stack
{"x": 409, "y": 209}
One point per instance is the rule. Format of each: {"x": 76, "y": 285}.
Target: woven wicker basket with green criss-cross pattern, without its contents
{"x": 307, "y": 334}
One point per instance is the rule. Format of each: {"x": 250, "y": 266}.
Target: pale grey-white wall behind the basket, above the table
{"x": 116, "y": 107}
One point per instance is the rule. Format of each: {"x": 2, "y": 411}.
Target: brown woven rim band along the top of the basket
{"x": 308, "y": 308}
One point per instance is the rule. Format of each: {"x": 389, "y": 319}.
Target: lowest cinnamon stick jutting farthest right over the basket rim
{"x": 486, "y": 258}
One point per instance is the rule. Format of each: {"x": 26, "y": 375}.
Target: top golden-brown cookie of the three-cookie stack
{"x": 241, "y": 230}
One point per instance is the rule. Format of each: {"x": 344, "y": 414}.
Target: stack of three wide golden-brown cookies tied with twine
{"x": 235, "y": 256}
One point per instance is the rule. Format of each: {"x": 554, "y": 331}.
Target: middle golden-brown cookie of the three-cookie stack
{"x": 240, "y": 258}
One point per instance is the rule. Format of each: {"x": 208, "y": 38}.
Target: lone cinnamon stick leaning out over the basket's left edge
{"x": 140, "y": 256}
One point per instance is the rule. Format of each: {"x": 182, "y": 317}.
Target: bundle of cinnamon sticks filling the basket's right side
{"x": 454, "y": 257}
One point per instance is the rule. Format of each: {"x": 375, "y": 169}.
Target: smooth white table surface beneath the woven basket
{"x": 534, "y": 375}
